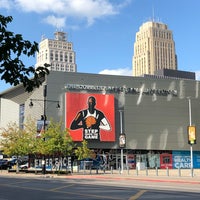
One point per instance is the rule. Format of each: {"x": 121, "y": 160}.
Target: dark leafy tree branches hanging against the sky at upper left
{"x": 12, "y": 68}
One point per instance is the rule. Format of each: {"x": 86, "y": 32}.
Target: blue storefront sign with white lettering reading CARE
{"x": 182, "y": 159}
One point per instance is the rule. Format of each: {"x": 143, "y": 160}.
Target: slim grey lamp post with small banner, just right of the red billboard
{"x": 122, "y": 141}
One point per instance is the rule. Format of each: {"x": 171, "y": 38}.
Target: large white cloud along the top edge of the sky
{"x": 84, "y": 10}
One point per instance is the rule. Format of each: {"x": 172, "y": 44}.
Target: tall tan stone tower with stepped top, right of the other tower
{"x": 154, "y": 49}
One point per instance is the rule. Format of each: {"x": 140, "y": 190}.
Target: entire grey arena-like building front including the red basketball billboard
{"x": 152, "y": 113}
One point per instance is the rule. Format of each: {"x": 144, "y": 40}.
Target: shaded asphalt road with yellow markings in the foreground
{"x": 42, "y": 188}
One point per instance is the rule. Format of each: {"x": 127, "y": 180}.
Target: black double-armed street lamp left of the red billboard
{"x": 44, "y": 117}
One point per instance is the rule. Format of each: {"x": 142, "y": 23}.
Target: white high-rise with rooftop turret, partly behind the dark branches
{"x": 58, "y": 53}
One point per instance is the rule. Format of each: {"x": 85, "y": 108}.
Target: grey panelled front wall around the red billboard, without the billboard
{"x": 150, "y": 121}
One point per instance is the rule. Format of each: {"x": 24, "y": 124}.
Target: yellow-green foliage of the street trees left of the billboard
{"x": 20, "y": 142}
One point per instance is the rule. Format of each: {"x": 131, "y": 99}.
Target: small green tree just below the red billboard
{"x": 83, "y": 151}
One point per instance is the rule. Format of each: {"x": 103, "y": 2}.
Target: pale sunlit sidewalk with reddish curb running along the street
{"x": 160, "y": 175}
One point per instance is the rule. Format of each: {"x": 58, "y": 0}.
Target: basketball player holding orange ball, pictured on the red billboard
{"x": 91, "y": 121}
